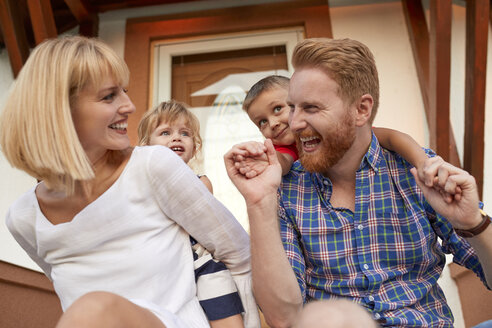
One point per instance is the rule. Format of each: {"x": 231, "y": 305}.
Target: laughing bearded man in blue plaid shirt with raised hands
{"x": 352, "y": 220}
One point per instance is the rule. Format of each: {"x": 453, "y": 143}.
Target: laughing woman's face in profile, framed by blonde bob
{"x": 100, "y": 117}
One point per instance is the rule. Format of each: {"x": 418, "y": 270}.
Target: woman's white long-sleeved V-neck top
{"x": 134, "y": 240}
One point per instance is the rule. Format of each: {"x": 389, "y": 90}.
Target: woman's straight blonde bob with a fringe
{"x": 37, "y": 133}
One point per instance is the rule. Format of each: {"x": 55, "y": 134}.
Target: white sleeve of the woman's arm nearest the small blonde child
{"x": 186, "y": 200}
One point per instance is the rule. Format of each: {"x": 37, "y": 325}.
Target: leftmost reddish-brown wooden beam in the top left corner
{"x": 13, "y": 34}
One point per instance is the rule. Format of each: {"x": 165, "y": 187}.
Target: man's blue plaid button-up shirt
{"x": 385, "y": 255}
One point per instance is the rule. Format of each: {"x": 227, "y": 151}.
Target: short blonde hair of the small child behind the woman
{"x": 169, "y": 112}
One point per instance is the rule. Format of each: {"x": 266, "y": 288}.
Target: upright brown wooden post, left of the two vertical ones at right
{"x": 439, "y": 75}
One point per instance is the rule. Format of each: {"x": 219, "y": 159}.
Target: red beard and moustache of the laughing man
{"x": 333, "y": 146}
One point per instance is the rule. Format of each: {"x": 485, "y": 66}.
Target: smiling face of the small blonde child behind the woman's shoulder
{"x": 177, "y": 136}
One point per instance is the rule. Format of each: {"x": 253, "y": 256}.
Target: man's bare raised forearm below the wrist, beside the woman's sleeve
{"x": 275, "y": 285}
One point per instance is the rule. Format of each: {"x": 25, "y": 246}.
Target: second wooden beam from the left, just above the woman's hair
{"x": 43, "y": 22}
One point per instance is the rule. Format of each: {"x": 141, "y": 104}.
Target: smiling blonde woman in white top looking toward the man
{"x": 108, "y": 224}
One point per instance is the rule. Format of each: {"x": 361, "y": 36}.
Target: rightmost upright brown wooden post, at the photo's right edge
{"x": 477, "y": 28}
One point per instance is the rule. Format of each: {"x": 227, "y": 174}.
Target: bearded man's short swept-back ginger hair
{"x": 348, "y": 62}
